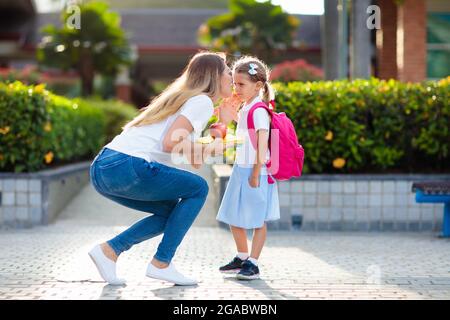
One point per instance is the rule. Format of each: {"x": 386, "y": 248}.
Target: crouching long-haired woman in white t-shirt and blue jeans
{"x": 139, "y": 168}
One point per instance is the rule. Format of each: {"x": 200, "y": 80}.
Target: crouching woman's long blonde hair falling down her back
{"x": 201, "y": 76}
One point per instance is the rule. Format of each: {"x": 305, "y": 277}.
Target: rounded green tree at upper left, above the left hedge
{"x": 98, "y": 45}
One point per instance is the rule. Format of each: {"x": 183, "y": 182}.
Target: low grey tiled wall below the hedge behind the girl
{"x": 350, "y": 202}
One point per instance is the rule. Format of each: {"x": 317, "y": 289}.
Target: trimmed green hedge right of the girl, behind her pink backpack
{"x": 370, "y": 125}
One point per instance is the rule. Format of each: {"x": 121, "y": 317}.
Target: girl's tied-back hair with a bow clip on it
{"x": 262, "y": 73}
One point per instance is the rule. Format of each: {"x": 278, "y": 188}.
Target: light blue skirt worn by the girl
{"x": 246, "y": 207}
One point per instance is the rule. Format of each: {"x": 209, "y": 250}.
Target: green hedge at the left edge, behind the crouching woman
{"x": 38, "y": 128}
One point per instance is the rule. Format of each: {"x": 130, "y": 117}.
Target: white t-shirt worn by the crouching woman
{"x": 146, "y": 141}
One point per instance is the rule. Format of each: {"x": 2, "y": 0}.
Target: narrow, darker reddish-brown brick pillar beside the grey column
{"x": 387, "y": 40}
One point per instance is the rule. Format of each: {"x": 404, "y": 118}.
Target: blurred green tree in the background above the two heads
{"x": 250, "y": 27}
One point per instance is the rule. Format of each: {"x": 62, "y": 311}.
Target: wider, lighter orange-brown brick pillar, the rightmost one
{"x": 412, "y": 41}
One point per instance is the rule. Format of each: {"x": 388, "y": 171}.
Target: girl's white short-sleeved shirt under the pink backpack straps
{"x": 246, "y": 153}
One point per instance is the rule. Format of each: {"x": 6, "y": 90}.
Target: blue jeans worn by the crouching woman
{"x": 173, "y": 196}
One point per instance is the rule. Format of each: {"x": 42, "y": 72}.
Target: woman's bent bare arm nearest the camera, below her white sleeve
{"x": 176, "y": 141}
